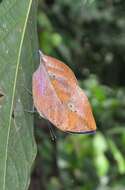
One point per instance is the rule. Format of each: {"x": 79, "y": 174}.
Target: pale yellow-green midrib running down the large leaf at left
{"x": 13, "y": 95}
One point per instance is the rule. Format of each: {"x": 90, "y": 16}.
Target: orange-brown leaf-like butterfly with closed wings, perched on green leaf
{"x": 59, "y": 99}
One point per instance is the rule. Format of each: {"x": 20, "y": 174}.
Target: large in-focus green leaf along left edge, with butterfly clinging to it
{"x": 18, "y": 55}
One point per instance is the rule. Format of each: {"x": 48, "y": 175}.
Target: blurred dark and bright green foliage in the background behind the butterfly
{"x": 88, "y": 35}
